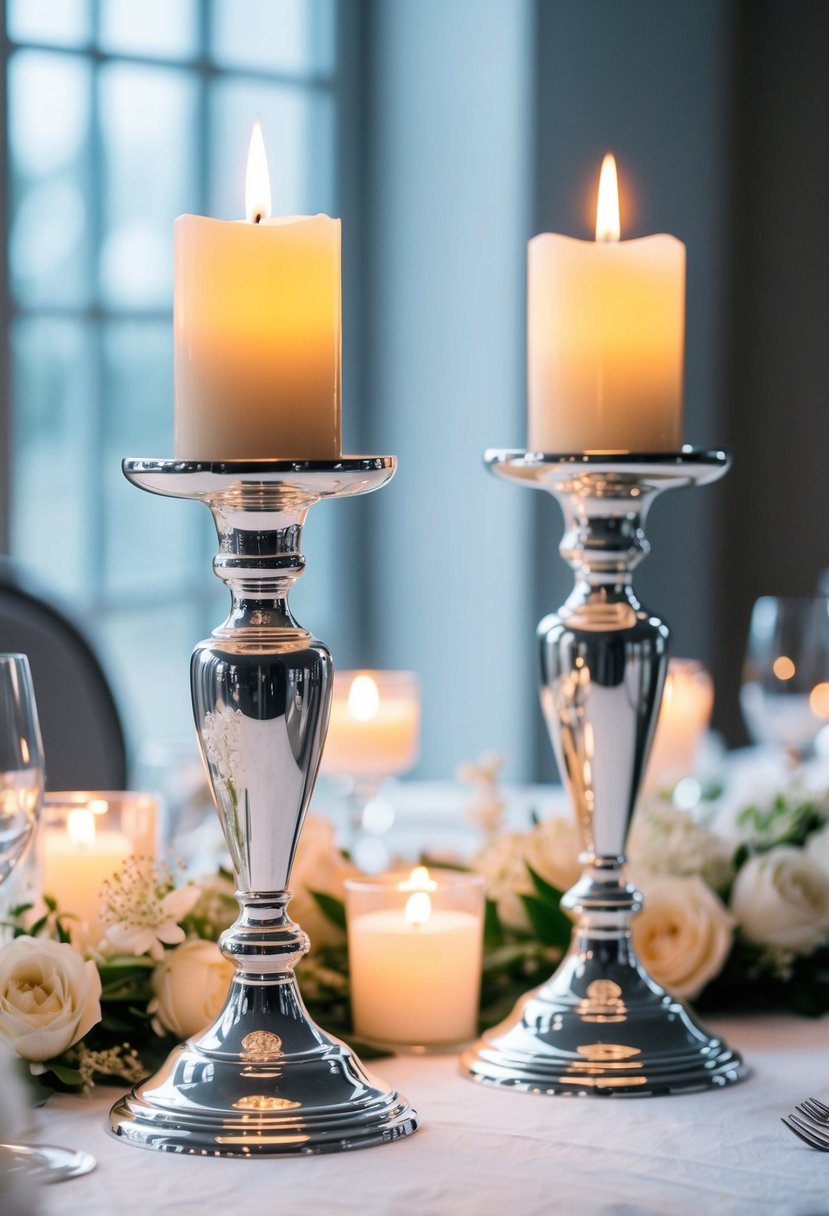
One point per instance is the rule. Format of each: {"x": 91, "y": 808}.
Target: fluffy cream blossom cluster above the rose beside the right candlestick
{"x": 668, "y": 841}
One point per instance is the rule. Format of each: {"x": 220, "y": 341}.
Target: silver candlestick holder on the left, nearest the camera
{"x": 263, "y": 1080}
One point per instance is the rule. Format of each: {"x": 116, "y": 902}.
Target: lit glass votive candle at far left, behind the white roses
{"x": 87, "y": 837}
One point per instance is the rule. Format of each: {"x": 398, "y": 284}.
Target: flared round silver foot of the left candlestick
{"x": 263, "y": 1082}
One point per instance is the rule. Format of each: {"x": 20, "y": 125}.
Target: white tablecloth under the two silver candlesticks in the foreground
{"x": 483, "y": 1151}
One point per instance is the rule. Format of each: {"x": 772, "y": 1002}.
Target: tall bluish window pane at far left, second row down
{"x": 49, "y": 145}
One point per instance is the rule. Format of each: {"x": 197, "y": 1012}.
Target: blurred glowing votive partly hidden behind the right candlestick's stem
{"x": 684, "y": 720}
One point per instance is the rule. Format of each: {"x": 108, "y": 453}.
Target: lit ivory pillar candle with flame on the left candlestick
{"x": 257, "y": 326}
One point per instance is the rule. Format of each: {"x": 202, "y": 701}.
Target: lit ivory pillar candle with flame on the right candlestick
{"x": 606, "y": 339}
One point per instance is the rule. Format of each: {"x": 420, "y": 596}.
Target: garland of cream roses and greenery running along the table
{"x": 736, "y": 916}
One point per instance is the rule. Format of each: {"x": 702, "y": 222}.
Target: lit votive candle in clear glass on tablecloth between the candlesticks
{"x": 415, "y": 958}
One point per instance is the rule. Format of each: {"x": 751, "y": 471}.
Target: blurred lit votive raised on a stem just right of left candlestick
{"x": 375, "y": 724}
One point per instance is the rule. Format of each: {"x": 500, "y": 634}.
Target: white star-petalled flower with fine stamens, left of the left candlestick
{"x": 143, "y": 909}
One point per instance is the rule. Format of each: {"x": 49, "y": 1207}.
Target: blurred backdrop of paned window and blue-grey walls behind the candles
{"x": 445, "y": 133}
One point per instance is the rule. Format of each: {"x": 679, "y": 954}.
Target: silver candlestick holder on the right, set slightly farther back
{"x": 601, "y": 1024}
